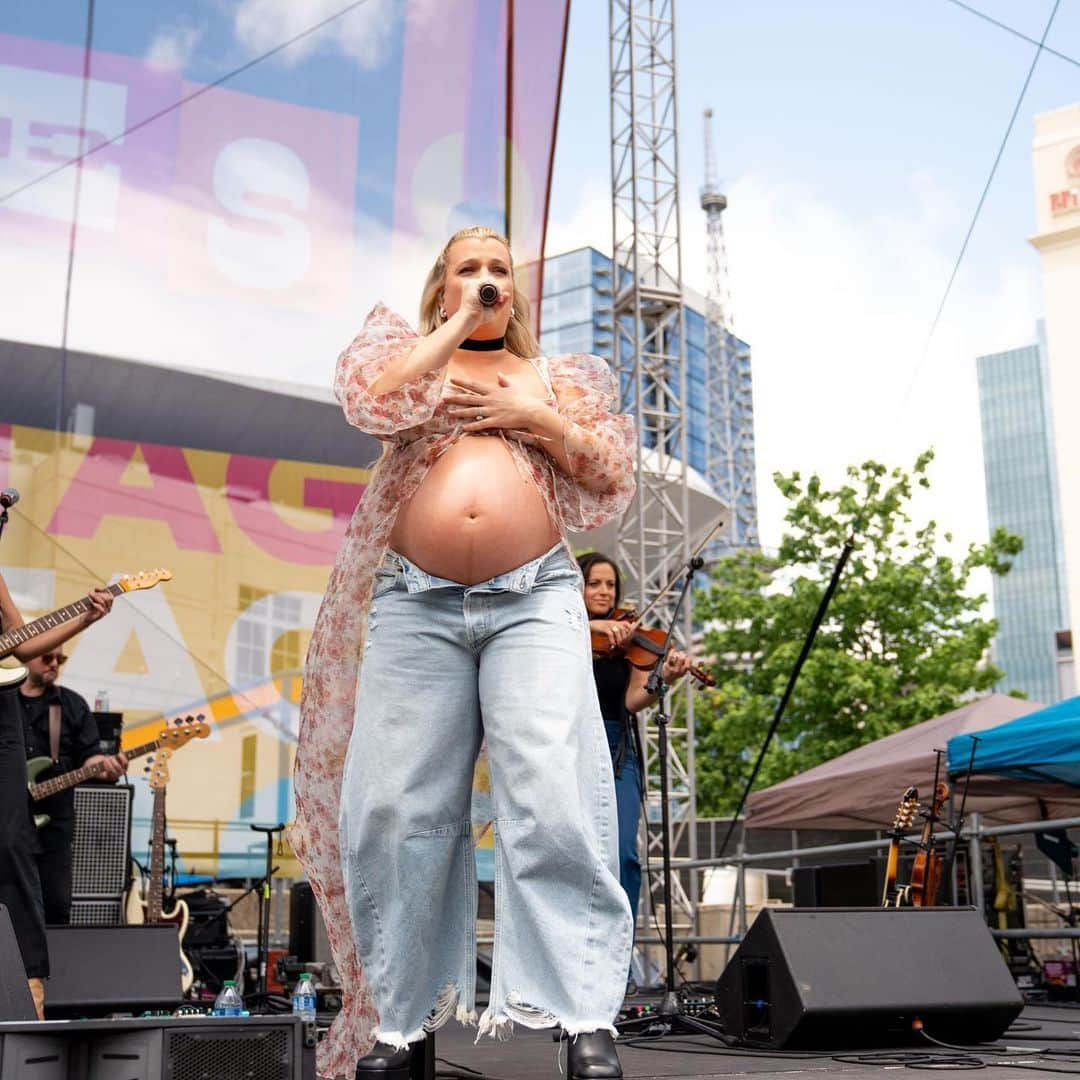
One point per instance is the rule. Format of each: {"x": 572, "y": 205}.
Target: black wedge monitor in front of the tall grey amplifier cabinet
{"x": 100, "y": 970}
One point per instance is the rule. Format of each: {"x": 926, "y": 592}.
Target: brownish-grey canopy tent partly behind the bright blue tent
{"x": 861, "y": 790}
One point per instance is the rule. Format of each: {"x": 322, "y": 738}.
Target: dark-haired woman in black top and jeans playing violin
{"x": 622, "y": 691}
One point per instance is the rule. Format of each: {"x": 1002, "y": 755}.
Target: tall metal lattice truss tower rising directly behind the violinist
{"x": 650, "y": 357}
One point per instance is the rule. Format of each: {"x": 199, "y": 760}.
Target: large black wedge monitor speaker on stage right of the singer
{"x": 838, "y": 978}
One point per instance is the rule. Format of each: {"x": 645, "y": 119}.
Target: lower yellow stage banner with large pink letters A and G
{"x": 250, "y": 543}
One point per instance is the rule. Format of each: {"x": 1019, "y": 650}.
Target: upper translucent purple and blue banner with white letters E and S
{"x": 251, "y": 181}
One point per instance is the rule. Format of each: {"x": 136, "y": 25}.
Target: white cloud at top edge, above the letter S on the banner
{"x": 364, "y": 34}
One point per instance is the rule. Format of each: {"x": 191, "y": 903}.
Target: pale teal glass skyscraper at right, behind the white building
{"x": 1021, "y": 496}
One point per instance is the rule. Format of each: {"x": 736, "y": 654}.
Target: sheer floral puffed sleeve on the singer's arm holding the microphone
{"x": 384, "y": 339}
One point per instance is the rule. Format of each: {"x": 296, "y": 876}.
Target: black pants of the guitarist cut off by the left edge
{"x": 20, "y": 885}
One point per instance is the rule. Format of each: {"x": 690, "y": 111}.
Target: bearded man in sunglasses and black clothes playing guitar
{"x": 58, "y": 724}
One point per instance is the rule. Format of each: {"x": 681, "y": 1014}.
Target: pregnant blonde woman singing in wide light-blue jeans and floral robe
{"x": 456, "y": 601}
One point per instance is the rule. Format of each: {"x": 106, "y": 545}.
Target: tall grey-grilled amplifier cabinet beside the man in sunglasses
{"x": 101, "y": 854}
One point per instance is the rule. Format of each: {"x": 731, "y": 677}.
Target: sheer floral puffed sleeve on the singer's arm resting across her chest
{"x": 601, "y": 445}
